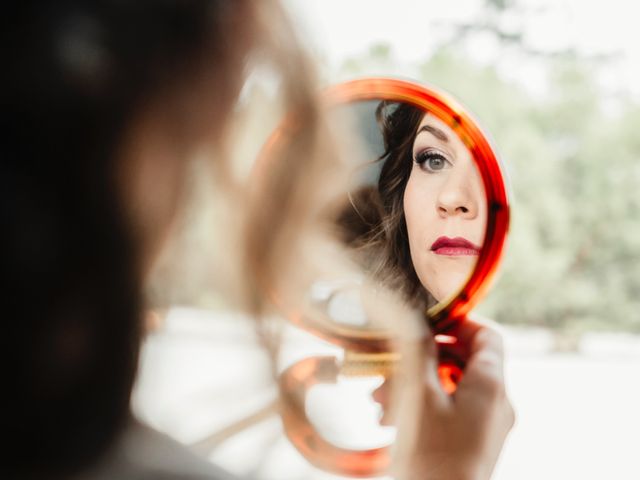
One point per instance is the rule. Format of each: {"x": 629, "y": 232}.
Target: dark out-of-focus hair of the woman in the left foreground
{"x": 74, "y": 73}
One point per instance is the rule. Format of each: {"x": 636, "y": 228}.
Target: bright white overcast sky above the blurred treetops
{"x": 339, "y": 29}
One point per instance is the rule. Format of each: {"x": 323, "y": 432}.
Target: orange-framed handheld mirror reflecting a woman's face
{"x": 427, "y": 209}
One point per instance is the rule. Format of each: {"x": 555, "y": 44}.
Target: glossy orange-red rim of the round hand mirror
{"x": 444, "y": 316}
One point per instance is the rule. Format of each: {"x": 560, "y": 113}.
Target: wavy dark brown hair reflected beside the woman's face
{"x": 374, "y": 222}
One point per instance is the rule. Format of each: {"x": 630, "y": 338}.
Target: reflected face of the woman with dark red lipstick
{"x": 445, "y": 209}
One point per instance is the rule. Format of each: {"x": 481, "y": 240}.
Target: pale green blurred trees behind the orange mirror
{"x": 572, "y": 153}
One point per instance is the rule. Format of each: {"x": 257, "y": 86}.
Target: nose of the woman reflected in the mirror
{"x": 457, "y": 196}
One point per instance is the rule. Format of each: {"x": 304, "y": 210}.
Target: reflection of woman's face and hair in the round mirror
{"x": 416, "y": 212}
